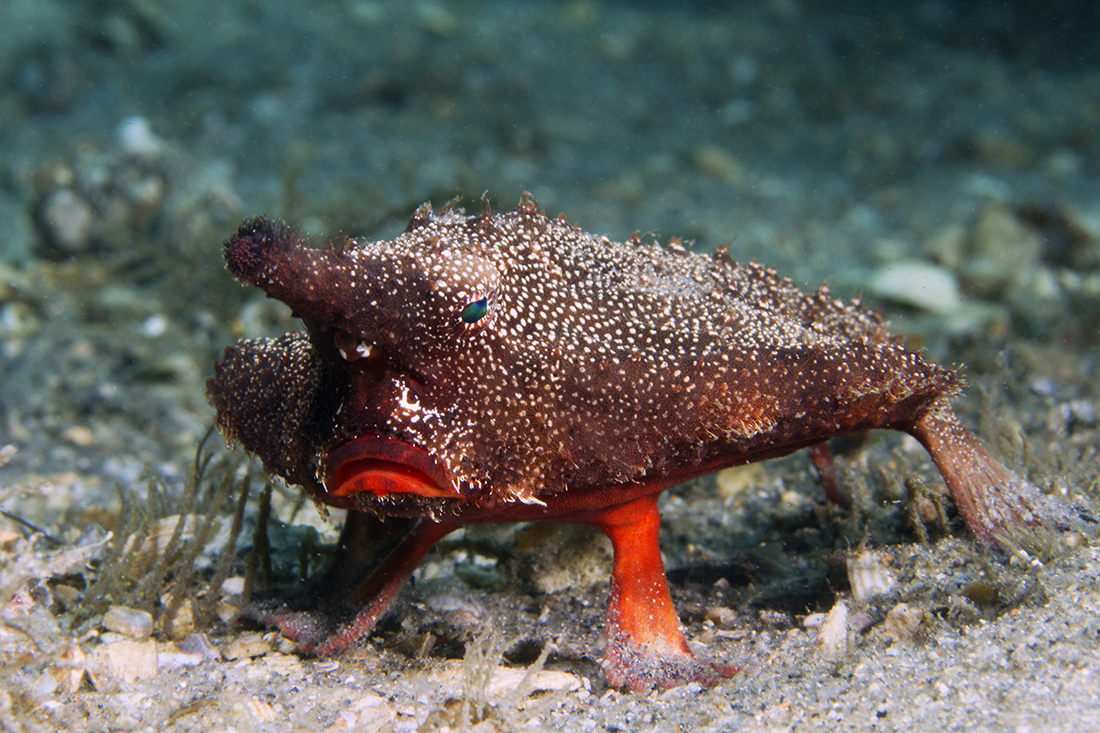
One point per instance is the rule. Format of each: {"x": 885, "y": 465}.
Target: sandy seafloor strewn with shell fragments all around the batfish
{"x": 941, "y": 161}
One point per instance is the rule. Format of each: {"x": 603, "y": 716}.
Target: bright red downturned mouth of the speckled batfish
{"x": 383, "y": 467}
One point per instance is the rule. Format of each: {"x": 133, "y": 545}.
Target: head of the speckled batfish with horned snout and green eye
{"x": 399, "y": 396}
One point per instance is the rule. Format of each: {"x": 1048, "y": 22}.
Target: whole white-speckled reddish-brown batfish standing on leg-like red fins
{"x": 512, "y": 367}
